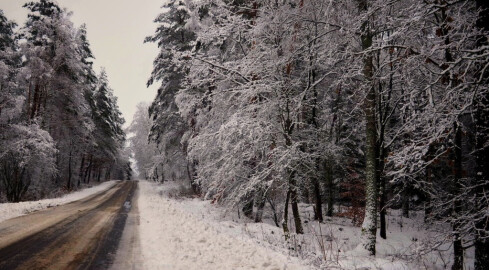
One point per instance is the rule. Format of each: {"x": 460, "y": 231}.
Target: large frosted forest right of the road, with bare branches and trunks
{"x": 367, "y": 104}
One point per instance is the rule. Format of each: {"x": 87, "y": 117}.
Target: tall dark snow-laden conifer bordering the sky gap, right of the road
{"x": 175, "y": 38}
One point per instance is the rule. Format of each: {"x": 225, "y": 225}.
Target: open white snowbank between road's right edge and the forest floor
{"x": 174, "y": 238}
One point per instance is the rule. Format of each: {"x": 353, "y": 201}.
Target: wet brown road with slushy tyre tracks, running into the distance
{"x": 84, "y": 234}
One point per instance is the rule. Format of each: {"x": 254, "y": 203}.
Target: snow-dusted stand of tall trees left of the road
{"x": 60, "y": 126}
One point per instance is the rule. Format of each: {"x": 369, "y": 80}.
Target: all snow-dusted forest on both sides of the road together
{"x": 357, "y": 108}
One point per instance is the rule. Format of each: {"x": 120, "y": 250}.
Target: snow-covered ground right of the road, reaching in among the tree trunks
{"x": 186, "y": 233}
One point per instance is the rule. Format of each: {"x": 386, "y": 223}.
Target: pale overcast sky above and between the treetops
{"x": 116, "y": 31}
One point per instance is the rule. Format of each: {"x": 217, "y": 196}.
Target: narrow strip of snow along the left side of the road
{"x": 11, "y": 210}
